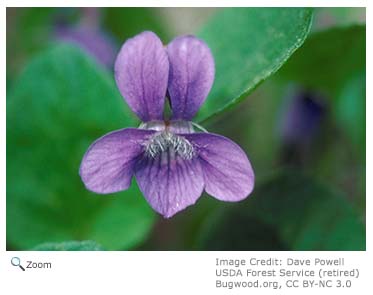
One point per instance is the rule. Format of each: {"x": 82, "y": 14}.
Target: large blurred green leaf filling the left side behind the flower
{"x": 62, "y": 102}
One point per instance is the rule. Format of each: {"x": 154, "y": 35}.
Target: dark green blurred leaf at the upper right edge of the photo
{"x": 328, "y": 59}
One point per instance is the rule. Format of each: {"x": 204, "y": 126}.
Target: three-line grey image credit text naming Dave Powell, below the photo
{"x": 287, "y": 273}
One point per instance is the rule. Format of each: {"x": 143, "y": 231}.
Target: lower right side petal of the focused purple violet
{"x": 228, "y": 174}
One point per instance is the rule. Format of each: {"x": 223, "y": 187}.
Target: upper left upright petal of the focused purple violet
{"x": 141, "y": 73}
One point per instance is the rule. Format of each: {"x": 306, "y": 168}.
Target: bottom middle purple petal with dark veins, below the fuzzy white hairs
{"x": 169, "y": 183}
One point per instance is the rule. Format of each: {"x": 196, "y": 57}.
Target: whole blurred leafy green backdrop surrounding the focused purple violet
{"x": 297, "y": 109}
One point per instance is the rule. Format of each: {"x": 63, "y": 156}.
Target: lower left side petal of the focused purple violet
{"x": 107, "y": 166}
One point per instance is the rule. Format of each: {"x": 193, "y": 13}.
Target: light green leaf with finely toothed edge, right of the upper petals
{"x": 249, "y": 45}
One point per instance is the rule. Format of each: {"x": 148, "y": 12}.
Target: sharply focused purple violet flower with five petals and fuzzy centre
{"x": 171, "y": 162}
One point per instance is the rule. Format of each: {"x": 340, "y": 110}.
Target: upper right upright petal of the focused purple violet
{"x": 192, "y": 72}
